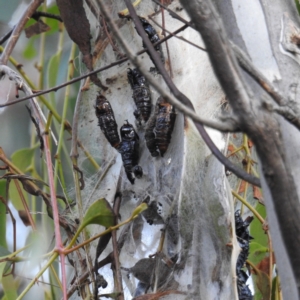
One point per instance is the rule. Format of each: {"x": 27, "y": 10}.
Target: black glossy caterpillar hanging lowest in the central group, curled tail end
{"x": 129, "y": 149}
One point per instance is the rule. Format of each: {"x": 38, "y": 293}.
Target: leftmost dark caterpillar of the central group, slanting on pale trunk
{"x": 106, "y": 121}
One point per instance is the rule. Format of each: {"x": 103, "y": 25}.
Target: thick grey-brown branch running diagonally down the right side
{"x": 261, "y": 125}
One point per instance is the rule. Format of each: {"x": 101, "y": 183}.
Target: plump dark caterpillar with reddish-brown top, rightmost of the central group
{"x": 160, "y": 127}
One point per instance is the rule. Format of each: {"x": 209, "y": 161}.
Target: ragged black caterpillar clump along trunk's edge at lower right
{"x": 243, "y": 237}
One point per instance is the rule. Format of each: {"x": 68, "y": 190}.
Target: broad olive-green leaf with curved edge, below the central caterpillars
{"x": 100, "y": 213}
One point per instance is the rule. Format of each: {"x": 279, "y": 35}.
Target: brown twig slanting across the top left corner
{"x": 18, "y": 29}
